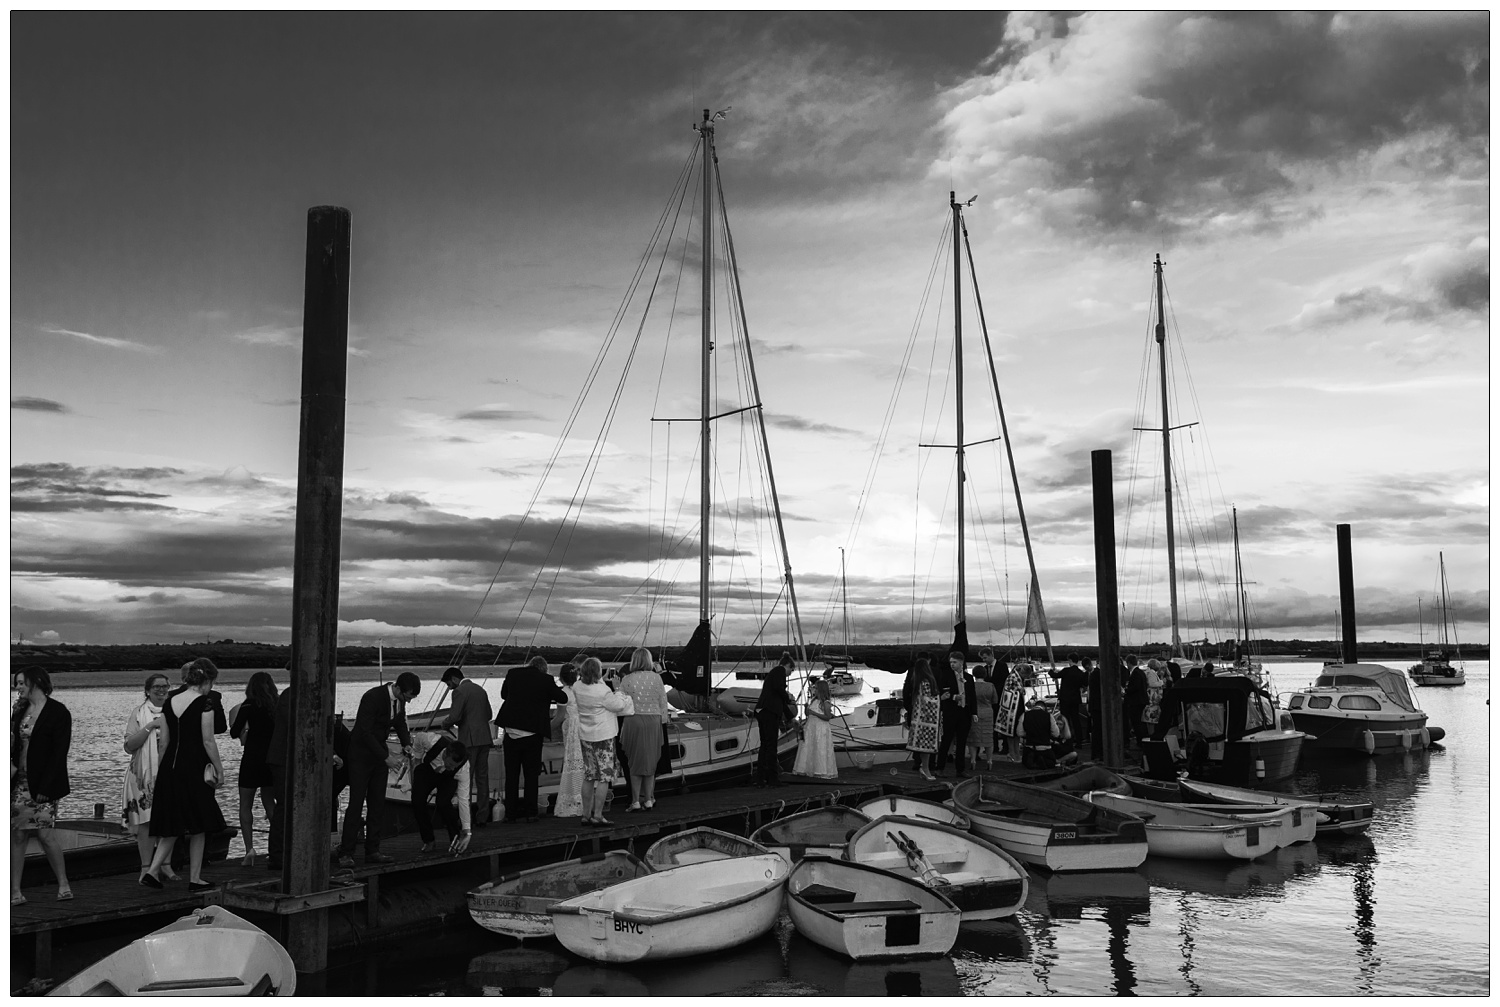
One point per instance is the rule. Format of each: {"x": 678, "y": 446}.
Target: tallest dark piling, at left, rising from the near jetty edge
{"x": 316, "y": 579}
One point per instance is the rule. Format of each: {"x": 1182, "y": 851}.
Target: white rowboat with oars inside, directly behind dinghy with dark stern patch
{"x": 985, "y": 882}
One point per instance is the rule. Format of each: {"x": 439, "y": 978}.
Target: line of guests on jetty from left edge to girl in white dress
{"x": 608, "y": 723}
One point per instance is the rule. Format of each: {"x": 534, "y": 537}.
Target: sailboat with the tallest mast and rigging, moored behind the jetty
{"x": 704, "y": 745}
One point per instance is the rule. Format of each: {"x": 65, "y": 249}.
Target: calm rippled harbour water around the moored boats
{"x": 1399, "y": 912}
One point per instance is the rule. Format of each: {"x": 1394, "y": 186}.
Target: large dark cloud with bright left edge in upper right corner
{"x": 1169, "y": 122}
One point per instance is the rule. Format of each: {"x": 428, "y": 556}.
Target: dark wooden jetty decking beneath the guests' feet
{"x": 418, "y": 889}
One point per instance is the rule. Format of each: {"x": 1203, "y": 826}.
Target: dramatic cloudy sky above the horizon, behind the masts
{"x": 1316, "y": 185}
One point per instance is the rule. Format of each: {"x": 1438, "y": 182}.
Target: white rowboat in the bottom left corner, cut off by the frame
{"x": 209, "y": 954}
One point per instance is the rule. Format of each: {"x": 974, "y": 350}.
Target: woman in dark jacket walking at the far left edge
{"x": 41, "y": 735}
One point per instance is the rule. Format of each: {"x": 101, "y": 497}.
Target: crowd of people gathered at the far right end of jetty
{"x": 995, "y": 709}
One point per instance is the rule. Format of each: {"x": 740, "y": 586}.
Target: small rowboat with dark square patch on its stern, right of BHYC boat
{"x": 866, "y": 913}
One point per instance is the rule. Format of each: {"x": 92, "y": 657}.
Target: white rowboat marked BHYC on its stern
{"x": 689, "y": 910}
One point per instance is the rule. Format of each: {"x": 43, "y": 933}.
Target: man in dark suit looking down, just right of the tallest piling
{"x": 382, "y": 709}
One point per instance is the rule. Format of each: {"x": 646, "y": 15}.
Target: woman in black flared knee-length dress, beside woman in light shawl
{"x": 191, "y": 774}
